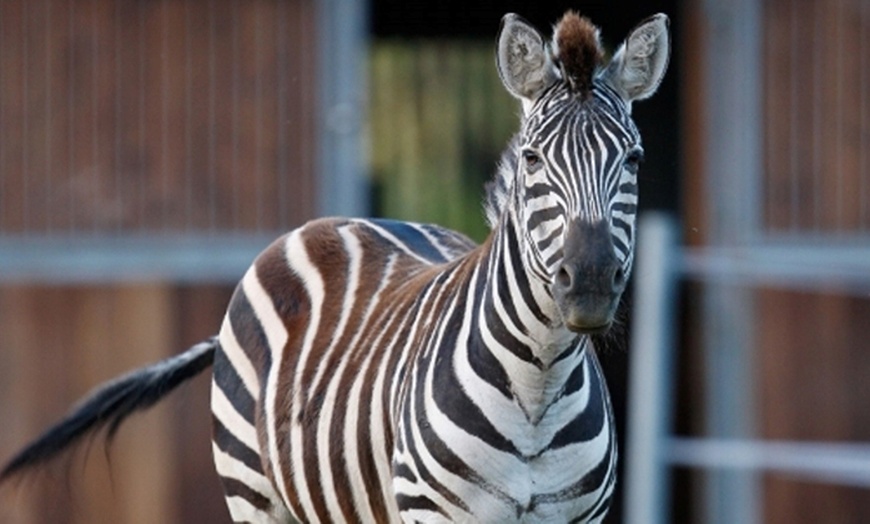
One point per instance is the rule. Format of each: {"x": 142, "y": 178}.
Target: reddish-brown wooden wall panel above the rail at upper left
{"x": 131, "y": 116}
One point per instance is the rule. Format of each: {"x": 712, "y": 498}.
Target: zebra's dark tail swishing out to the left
{"x": 111, "y": 403}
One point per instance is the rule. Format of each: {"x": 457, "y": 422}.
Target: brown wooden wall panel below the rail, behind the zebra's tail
{"x": 57, "y": 344}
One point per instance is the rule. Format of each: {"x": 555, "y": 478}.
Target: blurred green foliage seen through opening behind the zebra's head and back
{"x": 439, "y": 119}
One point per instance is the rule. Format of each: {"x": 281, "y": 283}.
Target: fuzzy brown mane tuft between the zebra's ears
{"x": 578, "y": 51}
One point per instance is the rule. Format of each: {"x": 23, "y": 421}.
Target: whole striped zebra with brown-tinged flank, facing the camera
{"x": 371, "y": 370}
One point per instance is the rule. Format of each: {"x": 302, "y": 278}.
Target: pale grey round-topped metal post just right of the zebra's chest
{"x": 651, "y": 375}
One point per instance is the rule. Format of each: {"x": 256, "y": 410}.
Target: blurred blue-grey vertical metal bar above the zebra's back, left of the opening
{"x": 342, "y": 47}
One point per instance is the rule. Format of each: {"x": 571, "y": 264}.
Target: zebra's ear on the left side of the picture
{"x": 523, "y": 60}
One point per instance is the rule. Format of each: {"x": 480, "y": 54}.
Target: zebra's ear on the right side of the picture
{"x": 639, "y": 64}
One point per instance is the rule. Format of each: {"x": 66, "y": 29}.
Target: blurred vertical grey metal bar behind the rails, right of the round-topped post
{"x": 734, "y": 175}
